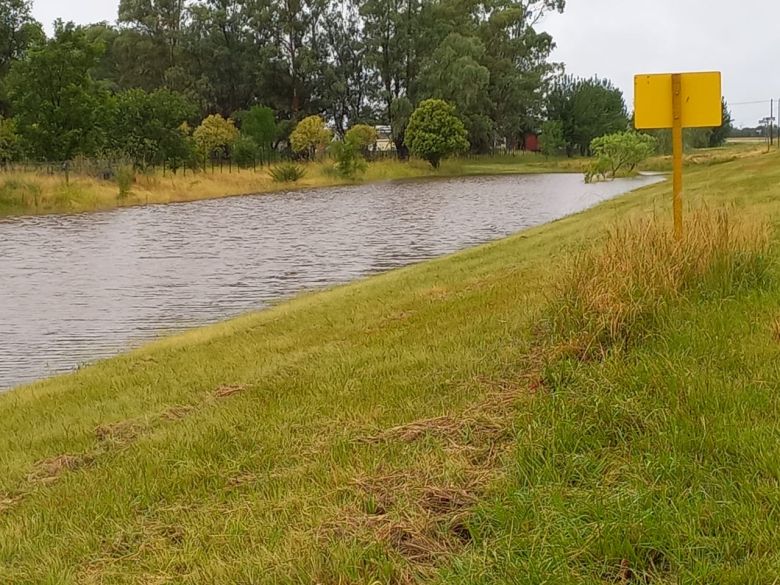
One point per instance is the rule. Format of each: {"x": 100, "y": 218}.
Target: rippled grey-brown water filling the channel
{"x": 81, "y": 287}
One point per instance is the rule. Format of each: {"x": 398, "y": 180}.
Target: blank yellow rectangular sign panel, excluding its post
{"x": 701, "y": 100}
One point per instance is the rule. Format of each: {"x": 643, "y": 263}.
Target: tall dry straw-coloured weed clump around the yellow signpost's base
{"x": 613, "y": 294}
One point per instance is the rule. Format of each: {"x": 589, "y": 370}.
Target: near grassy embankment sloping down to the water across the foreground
{"x": 534, "y": 410}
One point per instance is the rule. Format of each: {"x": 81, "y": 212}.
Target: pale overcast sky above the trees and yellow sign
{"x": 618, "y": 38}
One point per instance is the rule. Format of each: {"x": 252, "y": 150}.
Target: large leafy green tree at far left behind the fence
{"x": 59, "y": 110}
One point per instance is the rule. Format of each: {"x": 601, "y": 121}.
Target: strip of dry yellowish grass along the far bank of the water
{"x": 36, "y": 193}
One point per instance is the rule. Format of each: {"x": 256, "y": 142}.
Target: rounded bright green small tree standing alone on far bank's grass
{"x": 435, "y": 132}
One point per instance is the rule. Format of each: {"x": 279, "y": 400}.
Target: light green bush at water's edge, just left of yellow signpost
{"x": 620, "y": 153}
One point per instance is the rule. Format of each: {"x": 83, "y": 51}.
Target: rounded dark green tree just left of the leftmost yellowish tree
{"x": 147, "y": 126}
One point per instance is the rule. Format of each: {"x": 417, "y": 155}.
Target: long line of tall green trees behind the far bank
{"x": 178, "y": 82}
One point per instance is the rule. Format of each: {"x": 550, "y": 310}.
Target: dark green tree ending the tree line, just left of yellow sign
{"x": 586, "y": 109}
